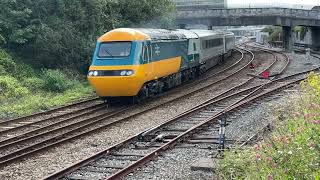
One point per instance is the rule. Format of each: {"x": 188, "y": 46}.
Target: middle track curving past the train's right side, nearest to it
{"x": 24, "y": 145}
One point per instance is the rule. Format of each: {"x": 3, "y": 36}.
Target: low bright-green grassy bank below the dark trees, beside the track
{"x": 24, "y": 90}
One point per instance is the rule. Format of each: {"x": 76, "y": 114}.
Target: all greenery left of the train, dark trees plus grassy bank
{"x": 46, "y": 45}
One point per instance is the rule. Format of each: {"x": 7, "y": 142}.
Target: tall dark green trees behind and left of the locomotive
{"x": 63, "y": 33}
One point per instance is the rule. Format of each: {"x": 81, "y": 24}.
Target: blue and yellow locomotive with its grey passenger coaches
{"x": 141, "y": 63}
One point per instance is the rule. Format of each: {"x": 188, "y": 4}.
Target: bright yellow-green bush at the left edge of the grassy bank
{"x": 10, "y": 87}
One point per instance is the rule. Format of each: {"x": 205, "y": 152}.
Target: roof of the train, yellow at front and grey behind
{"x": 139, "y": 34}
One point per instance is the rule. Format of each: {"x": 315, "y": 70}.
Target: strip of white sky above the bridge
{"x": 279, "y": 3}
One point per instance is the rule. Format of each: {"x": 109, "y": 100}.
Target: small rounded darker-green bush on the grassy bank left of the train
{"x": 56, "y": 81}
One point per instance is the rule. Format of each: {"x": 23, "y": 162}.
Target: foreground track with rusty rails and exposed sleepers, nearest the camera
{"x": 121, "y": 159}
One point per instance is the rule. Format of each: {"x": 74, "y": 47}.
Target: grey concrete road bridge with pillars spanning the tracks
{"x": 287, "y": 18}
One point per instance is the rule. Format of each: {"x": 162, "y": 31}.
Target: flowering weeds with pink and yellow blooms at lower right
{"x": 293, "y": 149}
